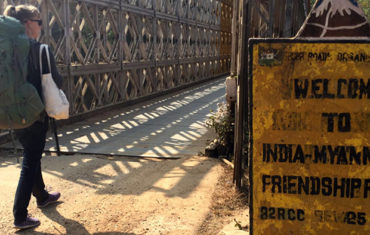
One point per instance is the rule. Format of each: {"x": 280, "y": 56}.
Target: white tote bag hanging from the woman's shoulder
{"x": 56, "y": 103}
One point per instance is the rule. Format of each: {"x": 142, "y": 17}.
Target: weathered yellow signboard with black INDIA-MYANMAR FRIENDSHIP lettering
{"x": 310, "y": 162}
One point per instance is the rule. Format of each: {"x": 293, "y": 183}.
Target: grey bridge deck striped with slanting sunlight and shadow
{"x": 169, "y": 126}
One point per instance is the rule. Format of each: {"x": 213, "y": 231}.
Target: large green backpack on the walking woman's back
{"x": 20, "y": 104}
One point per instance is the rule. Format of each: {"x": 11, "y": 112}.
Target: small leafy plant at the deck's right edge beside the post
{"x": 222, "y": 121}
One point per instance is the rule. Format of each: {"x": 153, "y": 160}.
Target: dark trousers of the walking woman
{"x": 30, "y": 181}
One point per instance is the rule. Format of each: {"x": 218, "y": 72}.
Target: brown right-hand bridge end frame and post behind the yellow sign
{"x": 255, "y": 18}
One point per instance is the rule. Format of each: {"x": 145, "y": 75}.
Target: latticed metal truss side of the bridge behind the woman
{"x": 113, "y": 51}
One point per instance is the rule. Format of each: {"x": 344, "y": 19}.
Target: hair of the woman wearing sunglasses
{"x": 22, "y": 12}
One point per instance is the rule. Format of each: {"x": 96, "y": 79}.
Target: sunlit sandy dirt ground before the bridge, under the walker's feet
{"x": 118, "y": 195}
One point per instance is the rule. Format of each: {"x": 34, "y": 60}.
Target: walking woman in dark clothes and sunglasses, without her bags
{"x": 32, "y": 138}
